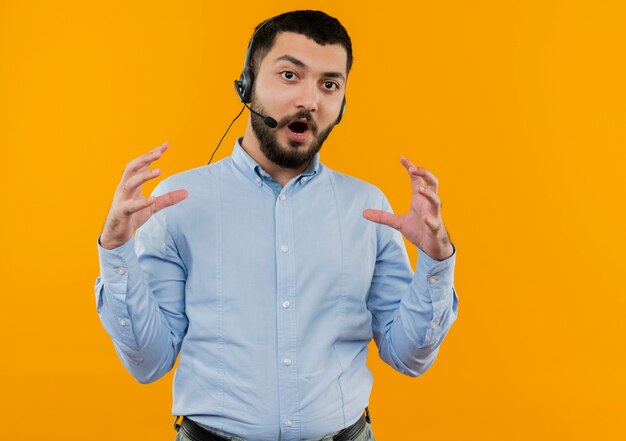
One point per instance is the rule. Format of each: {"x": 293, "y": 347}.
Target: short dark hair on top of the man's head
{"x": 316, "y": 25}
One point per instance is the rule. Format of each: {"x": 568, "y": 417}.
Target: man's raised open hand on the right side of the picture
{"x": 422, "y": 225}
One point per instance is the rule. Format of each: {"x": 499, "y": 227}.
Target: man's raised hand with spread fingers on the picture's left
{"x": 130, "y": 209}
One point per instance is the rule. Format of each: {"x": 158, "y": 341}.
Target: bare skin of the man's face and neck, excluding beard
{"x": 297, "y": 75}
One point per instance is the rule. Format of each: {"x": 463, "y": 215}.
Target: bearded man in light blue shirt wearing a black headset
{"x": 270, "y": 273}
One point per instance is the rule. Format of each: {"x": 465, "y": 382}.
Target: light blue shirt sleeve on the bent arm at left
{"x": 140, "y": 300}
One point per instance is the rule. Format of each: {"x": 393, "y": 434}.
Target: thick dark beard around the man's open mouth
{"x": 291, "y": 156}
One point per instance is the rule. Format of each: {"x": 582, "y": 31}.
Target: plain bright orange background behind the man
{"x": 517, "y": 106}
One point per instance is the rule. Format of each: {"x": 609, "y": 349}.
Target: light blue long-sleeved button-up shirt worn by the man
{"x": 271, "y": 296}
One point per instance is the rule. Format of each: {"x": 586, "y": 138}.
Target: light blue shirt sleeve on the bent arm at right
{"x": 411, "y": 312}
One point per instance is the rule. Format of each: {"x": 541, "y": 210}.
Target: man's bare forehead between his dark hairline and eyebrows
{"x": 325, "y": 58}
